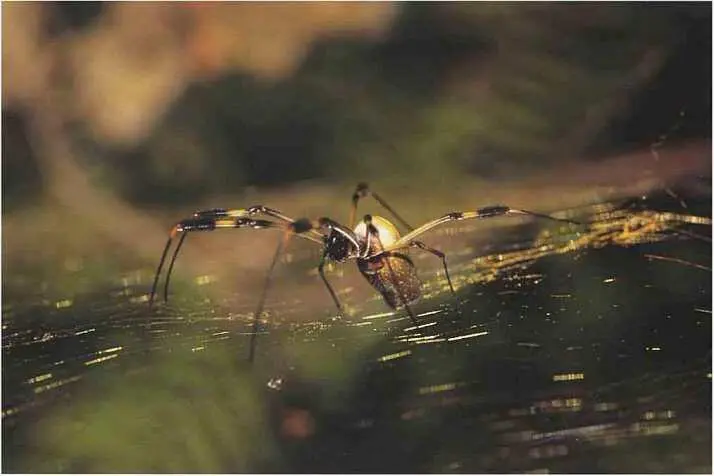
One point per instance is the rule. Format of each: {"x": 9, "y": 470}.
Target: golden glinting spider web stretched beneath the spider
{"x": 569, "y": 345}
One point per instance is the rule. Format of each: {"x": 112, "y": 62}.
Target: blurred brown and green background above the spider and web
{"x": 120, "y": 118}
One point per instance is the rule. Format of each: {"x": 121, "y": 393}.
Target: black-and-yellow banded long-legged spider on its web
{"x": 374, "y": 243}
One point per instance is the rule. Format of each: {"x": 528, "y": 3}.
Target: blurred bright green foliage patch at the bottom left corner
{"x": 179, "y": 414}
